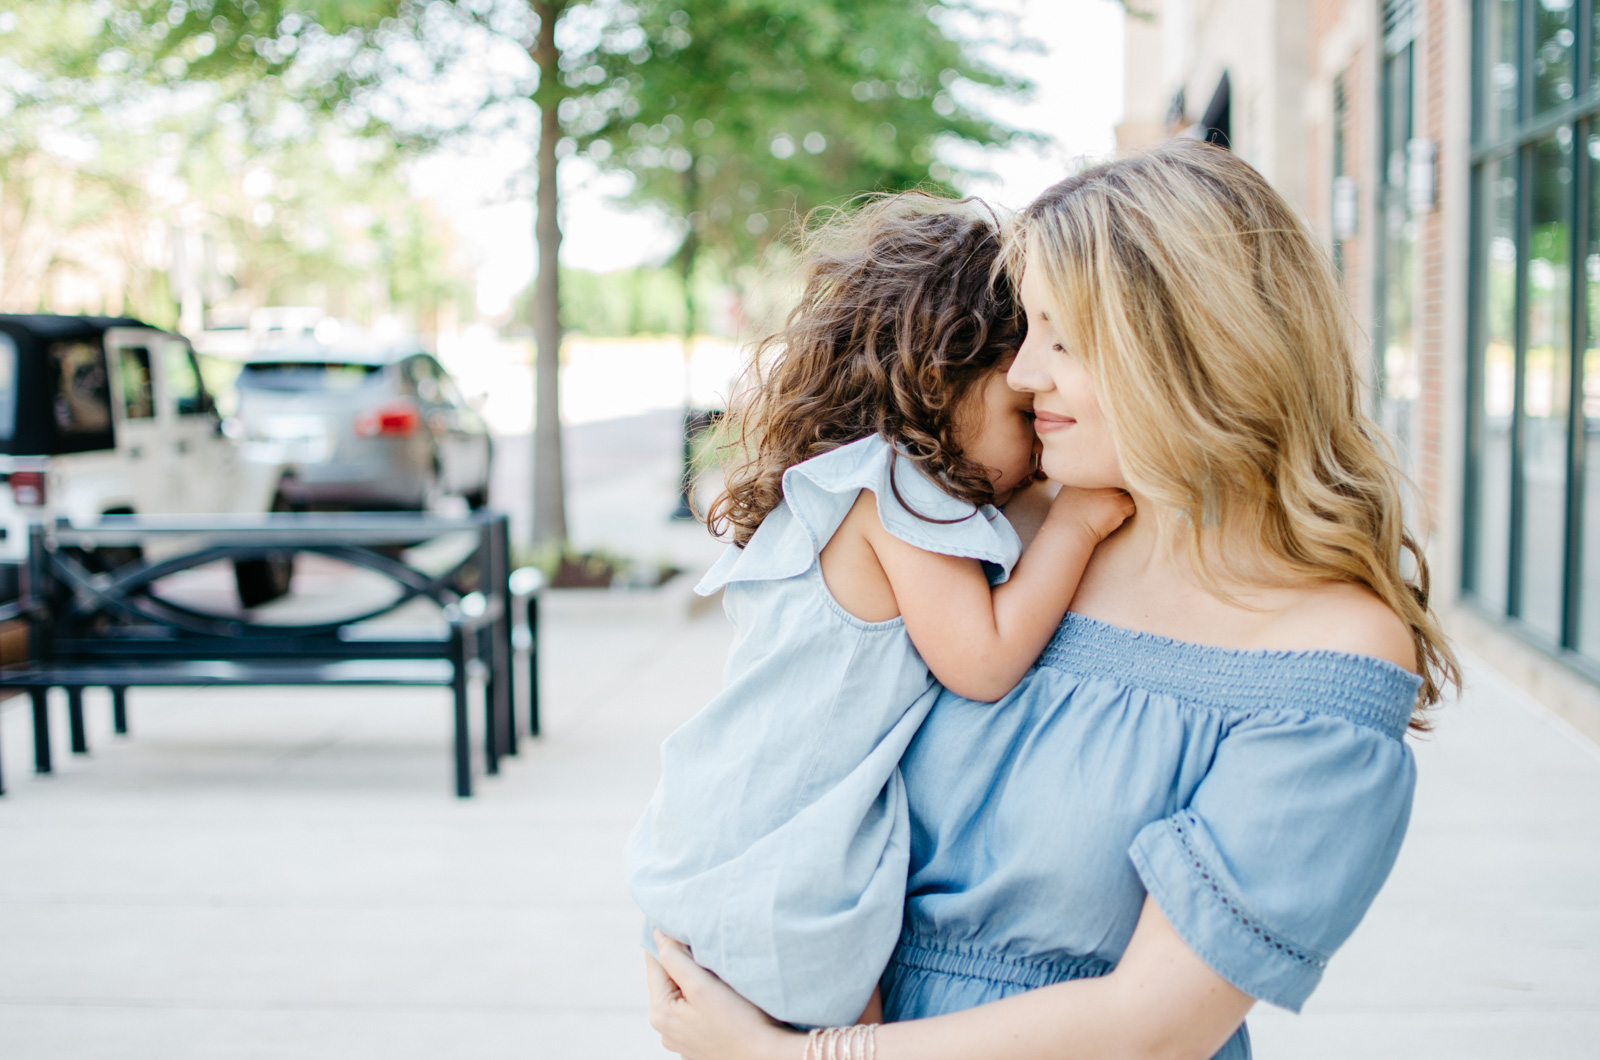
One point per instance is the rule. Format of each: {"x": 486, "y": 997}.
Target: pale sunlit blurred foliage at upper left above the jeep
{"x": 106, "y": 153}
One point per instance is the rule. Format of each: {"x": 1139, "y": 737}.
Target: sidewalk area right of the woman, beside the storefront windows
{"x": 1486, "y": 944}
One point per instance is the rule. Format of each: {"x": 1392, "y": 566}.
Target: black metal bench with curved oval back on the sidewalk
{"x": 97, "y": 622}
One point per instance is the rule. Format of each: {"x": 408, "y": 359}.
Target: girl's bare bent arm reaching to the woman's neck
{"x": 977, "y": 640}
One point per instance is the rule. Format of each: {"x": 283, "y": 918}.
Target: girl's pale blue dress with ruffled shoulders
{"x": 777, "y": 843}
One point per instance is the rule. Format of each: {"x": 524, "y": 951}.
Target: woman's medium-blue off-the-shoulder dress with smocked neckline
{"x": 1258, "y": 797}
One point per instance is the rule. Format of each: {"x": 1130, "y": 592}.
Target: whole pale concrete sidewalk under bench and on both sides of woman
{"x": 278, "y": 873}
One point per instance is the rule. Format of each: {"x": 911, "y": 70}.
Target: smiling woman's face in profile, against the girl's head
{"x": 1078, "y": 443}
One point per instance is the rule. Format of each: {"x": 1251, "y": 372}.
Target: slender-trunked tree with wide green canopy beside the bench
{"x": 732, "y": 114}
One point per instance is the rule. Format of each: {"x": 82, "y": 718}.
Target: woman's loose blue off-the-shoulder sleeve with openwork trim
{"x": 1287, "y": 840}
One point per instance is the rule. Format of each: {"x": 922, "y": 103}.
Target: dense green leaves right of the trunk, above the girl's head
{"x": 738, "y": 116}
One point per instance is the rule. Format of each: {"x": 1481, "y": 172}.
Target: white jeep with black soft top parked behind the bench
{"x": 110, "y": 416}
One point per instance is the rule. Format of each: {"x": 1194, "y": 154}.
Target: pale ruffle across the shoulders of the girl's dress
{"x": 820, "y": 492}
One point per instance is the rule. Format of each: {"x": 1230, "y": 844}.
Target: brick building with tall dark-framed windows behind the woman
{"x": 1449, "y": 155}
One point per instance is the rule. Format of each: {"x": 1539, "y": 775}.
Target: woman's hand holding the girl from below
{"x": 700, "y": 1018}
